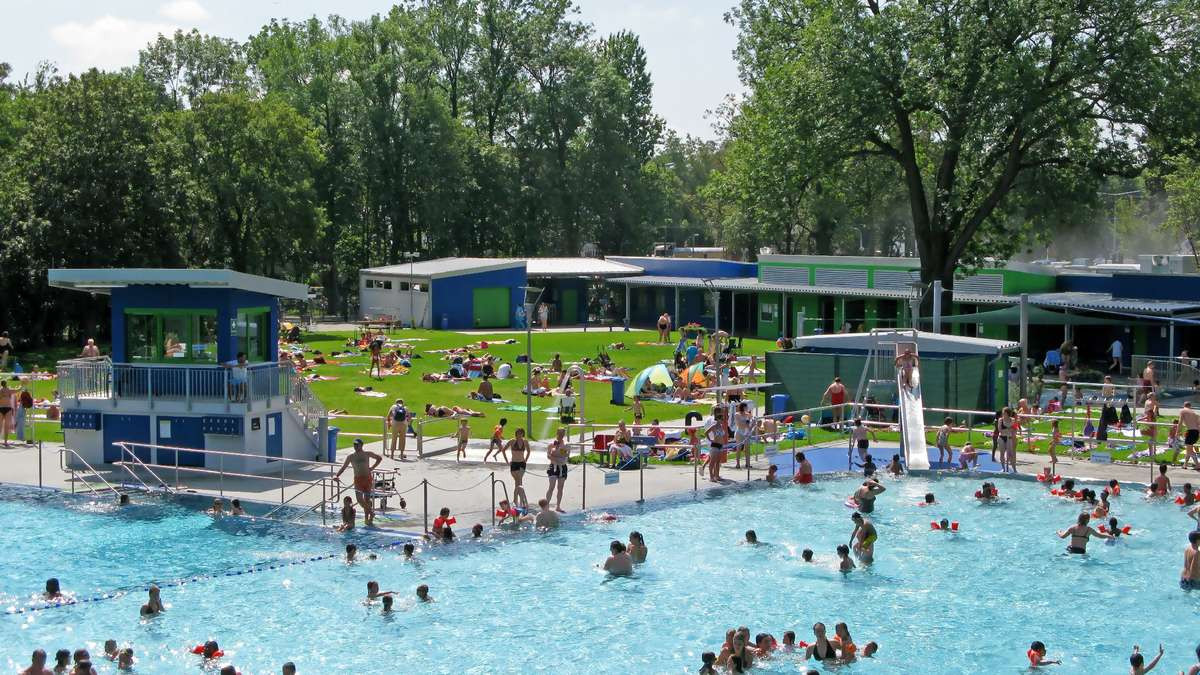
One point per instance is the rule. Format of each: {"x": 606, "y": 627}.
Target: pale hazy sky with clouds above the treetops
{"x": 688, "y": 45}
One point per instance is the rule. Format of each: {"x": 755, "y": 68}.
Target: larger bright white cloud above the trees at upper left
{"x": 107, "y": 44}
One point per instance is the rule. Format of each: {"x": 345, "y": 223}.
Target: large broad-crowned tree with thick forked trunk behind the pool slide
{"x": 971, "y": 101}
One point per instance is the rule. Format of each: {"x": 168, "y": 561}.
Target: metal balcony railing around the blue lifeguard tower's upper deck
{"x": 100, "y": 379}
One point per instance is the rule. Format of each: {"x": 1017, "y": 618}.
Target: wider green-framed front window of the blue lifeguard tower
{"x": 166, "y": 336}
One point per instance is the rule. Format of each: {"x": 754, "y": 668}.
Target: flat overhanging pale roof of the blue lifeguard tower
{"x": 105, "y": 280}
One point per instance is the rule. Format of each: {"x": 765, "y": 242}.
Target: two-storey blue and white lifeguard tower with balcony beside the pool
{"x": 172, "y": 378}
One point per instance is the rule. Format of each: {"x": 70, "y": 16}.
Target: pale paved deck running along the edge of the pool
{"x": 466, "y": 487}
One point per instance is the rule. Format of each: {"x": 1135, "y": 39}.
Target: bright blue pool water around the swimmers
{"x": 529, "y": 602}
